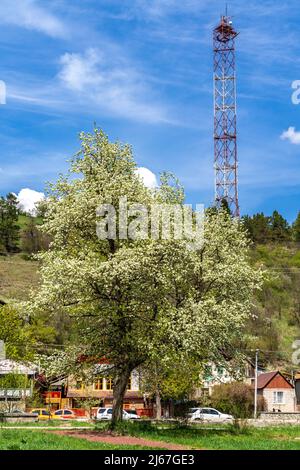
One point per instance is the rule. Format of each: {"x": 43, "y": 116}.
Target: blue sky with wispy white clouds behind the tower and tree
{"x": 142, "y": 69}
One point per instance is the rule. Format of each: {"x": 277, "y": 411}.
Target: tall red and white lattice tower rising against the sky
{"x": 225, "y": 134}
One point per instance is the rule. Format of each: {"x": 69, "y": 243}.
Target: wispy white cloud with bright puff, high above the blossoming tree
{"x": 109, "y": 82}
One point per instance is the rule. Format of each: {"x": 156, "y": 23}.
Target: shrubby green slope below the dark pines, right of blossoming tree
{"x": 276, "y": 322}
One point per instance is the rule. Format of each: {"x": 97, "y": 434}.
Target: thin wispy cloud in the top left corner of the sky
{"x": 31, "y": 14}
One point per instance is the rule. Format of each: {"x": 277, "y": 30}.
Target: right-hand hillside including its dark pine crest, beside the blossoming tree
{"x": 276, "y": 322}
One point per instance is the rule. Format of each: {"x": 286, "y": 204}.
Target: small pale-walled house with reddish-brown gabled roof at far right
{"x": 278, "y": 392}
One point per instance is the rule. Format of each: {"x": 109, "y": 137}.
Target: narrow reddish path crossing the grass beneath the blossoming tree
{"x": 120, "y": 440}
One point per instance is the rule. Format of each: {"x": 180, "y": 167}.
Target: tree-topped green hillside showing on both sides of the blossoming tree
{"x": 275, "y": 245}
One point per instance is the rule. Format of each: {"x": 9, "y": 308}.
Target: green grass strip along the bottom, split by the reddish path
{"x": 206, "y": 438}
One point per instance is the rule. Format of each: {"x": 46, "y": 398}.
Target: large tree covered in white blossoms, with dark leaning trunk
{"x": 139, "y": 300}
